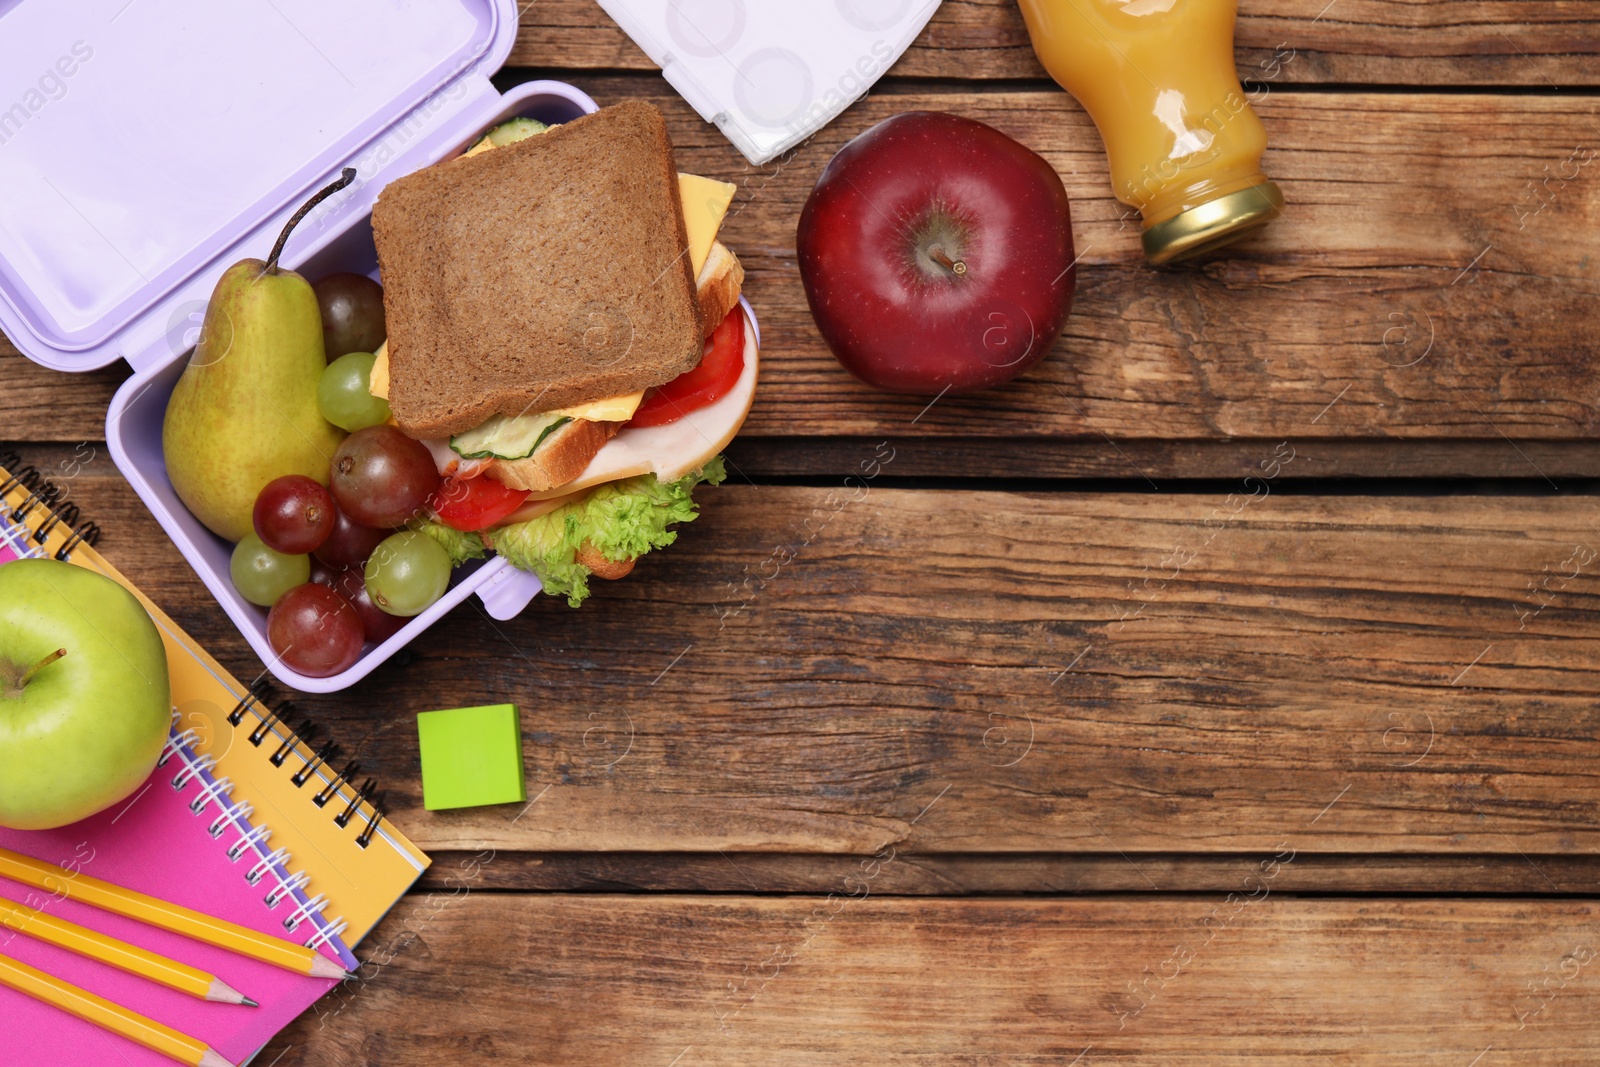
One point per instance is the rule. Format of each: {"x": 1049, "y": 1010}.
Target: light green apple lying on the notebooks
{"x": 86, "y": 703}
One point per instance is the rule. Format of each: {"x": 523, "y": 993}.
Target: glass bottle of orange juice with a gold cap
{"x": 1158, "y": 78}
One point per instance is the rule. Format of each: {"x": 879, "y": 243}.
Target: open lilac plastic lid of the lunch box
{"x": 148, "y": 145}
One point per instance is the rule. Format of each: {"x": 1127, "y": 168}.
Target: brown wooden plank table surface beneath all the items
{"x": 1222, "y": 692}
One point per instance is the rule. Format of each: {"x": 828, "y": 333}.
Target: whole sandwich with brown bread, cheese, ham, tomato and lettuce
{"x": 567, "y": 337}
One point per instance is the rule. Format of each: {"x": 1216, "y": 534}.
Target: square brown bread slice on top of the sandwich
{"x": 542, "y": 276}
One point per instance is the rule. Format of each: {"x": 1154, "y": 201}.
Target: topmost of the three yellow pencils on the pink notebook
{"x": 172, "y": 917}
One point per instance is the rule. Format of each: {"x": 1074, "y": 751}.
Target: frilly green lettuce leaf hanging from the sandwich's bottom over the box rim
{"x": 623, "y": 521}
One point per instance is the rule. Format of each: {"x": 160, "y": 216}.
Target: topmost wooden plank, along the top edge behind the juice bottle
{"x": 1375, "y": 42}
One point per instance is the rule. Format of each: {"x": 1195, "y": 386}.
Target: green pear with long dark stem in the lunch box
{"x": 246, "y": 409}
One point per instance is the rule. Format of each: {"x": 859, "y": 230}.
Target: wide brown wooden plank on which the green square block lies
{"x": 1007, "y": 673}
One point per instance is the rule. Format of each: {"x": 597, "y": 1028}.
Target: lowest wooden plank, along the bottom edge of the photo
{"x": 855, "y": 980}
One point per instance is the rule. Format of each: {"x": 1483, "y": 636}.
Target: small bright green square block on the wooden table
{"x": 471, "y": 757}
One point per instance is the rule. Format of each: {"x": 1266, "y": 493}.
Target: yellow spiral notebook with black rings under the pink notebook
{"x": 294, "y": 805}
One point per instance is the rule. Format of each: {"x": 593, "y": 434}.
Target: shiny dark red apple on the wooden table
{"x": 937, "y": 255}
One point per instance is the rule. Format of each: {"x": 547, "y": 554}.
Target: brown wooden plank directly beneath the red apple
{"x": 1396, "y": 300}
